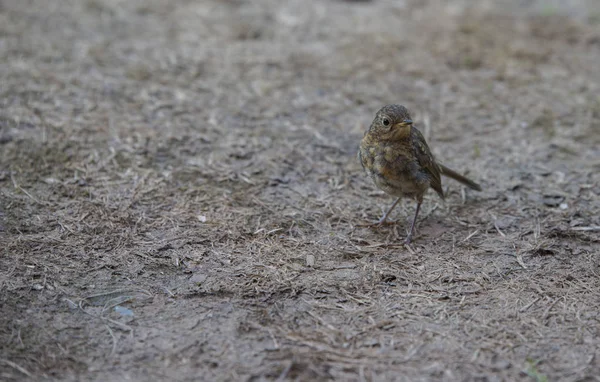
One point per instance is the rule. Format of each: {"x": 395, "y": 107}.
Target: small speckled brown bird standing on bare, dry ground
{"x": 397, "y": 158}
